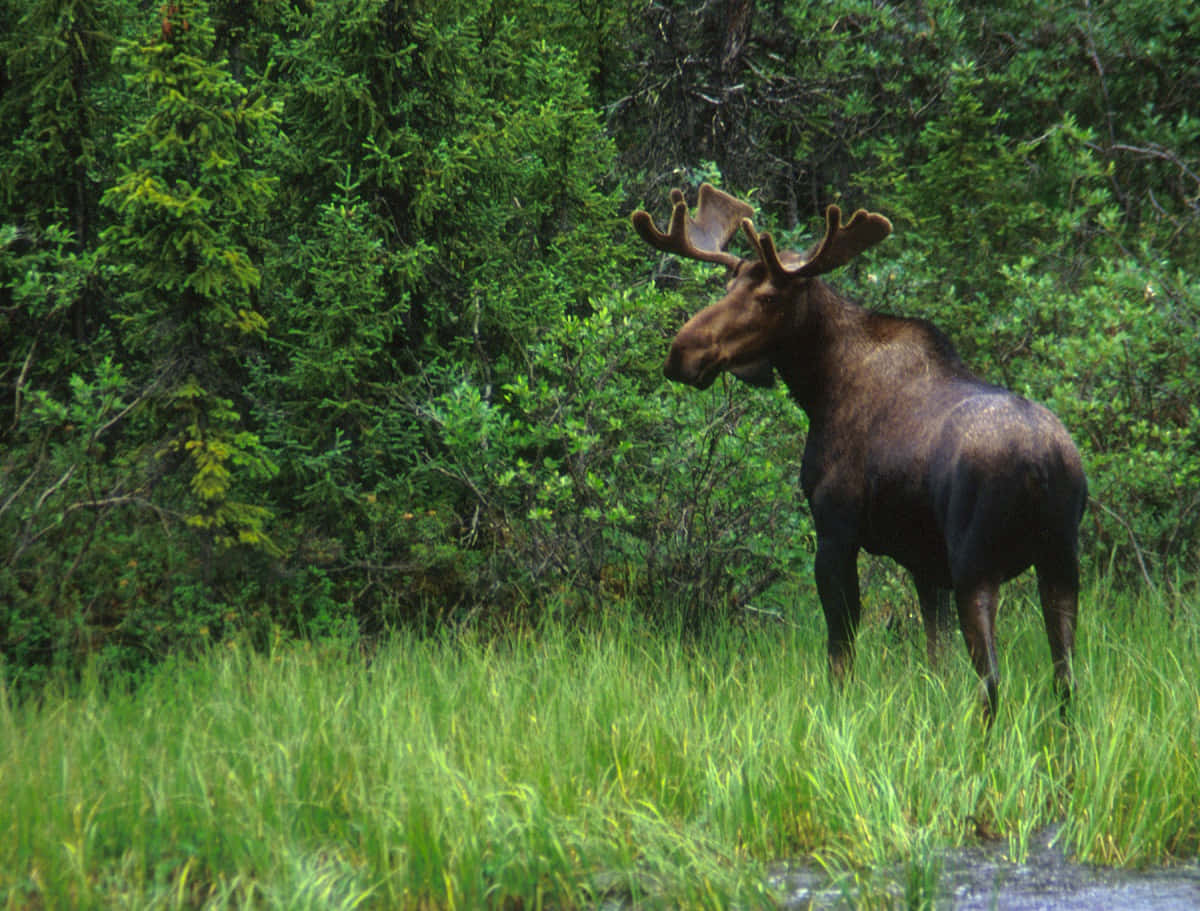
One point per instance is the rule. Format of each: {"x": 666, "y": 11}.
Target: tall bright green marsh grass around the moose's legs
{"x": 581, "y": 768}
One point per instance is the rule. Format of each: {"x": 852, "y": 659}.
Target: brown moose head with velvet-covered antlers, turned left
{"x": 741, "y": 332}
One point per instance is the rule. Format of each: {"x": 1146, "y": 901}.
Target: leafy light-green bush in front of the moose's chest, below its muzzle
{"x": 596, "y": 484}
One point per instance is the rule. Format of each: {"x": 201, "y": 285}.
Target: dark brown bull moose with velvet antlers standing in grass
{"x": 909, "y": 454}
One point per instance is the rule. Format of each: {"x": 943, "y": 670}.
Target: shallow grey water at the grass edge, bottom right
{"x": 982, "y": 878}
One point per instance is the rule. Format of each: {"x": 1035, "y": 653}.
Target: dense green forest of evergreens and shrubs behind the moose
{"x": 325, "y": 317}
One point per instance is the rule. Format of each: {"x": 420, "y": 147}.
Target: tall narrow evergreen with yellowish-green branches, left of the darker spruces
{"x": 189, "y": 207}
